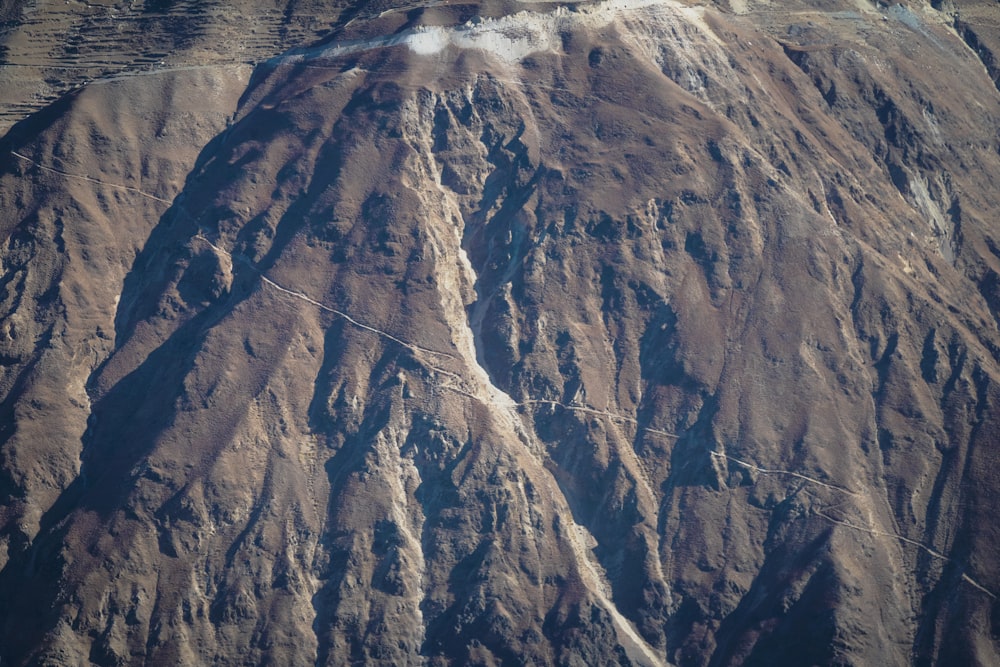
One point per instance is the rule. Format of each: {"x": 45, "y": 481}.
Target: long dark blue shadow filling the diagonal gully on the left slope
{"x": 129, "y": 417}
